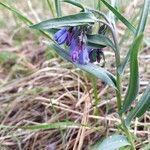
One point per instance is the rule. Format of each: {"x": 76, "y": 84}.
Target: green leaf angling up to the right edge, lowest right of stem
{"x": 141, "y": 107}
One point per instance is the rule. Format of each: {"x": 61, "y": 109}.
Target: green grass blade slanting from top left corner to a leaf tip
{"x": 16, "y": 12}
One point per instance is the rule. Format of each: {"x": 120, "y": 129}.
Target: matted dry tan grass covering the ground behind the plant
{"x": 35, "y": 90}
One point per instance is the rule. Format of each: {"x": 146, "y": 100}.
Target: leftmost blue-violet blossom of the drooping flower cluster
{"x": 61, "y": 36}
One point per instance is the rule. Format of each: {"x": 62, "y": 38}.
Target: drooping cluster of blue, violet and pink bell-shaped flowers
{"x": 75, "y": 38}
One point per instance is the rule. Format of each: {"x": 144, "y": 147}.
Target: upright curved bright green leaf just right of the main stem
{"x": 133, "y": 86}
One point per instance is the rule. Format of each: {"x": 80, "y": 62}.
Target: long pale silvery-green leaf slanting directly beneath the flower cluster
{"x": 95, "y": 70}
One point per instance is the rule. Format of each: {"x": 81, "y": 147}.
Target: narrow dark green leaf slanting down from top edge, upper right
{"x": 120, "y": 17}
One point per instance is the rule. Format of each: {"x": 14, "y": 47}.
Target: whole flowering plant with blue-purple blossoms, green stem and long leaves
{"x": 85, "y": 47}
